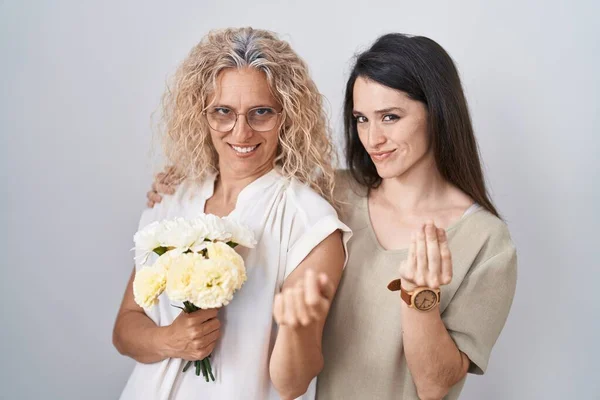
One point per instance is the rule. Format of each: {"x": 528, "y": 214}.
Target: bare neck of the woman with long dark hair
{"x": 420, "y": 188}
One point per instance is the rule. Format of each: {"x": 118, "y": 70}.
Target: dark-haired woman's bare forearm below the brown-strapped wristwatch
{"x": 433, "y": 359}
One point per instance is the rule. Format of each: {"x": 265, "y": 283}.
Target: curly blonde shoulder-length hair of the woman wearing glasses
{"x": 305, "y": 151}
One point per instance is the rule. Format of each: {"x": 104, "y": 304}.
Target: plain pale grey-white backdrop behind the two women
{"x": 78, "y": 85}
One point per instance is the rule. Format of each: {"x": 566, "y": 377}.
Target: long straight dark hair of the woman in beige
{"x": 422, "y": 69}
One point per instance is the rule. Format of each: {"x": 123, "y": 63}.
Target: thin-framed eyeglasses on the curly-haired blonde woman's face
{"x": 260, "y": 119}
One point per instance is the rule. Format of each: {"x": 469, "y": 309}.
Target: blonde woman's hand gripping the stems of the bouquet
{"x": 192, "y": 336}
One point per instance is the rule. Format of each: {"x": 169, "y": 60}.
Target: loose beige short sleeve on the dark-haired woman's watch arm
{"x": 478, "y": 311}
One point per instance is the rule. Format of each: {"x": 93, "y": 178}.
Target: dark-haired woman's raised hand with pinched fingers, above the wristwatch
{"x": 429, "y": 262}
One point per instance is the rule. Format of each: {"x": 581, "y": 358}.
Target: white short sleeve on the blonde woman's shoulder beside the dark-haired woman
{"x": 313, "y": 221}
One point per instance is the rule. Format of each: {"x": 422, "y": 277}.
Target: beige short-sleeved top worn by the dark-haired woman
{"x": 362, "y": 343}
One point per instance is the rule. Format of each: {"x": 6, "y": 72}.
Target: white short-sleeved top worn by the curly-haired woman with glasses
{"x": 288, "y": 219}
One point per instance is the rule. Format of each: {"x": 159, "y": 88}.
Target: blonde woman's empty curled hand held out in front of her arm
{"x": 305, "y": 303}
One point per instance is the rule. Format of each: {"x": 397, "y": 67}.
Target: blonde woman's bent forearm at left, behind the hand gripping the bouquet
{"x": 137, "y": 336}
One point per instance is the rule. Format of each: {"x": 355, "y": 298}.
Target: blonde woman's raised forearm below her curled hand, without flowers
{"x": 296, "y": 359}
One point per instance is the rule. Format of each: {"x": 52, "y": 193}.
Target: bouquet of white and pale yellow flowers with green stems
{"x": 197, "y": 265}
